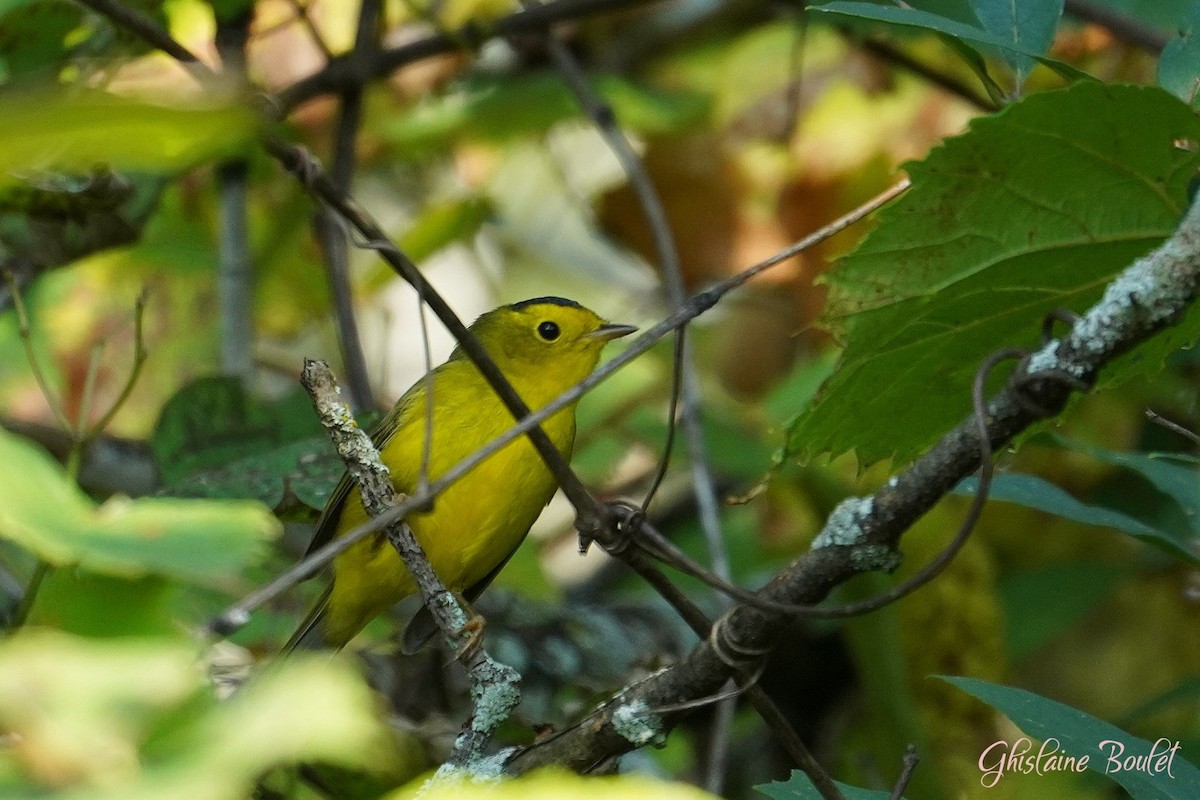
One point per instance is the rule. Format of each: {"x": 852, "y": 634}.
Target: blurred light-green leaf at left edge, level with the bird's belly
{"x": 45, "y": 513}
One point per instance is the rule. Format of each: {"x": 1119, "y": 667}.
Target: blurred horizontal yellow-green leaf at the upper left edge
{"x": 62, "y": 131}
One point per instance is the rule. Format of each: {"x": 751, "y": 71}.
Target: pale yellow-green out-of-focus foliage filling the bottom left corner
{"x": 135, "y": 719}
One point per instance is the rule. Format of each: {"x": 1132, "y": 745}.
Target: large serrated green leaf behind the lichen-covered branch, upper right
{"x": 1035, "y": 208}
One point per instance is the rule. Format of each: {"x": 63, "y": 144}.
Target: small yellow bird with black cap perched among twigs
{"x": 544, "y": 346}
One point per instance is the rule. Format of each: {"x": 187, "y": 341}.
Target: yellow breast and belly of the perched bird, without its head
{"x": 476, "y": 524}
